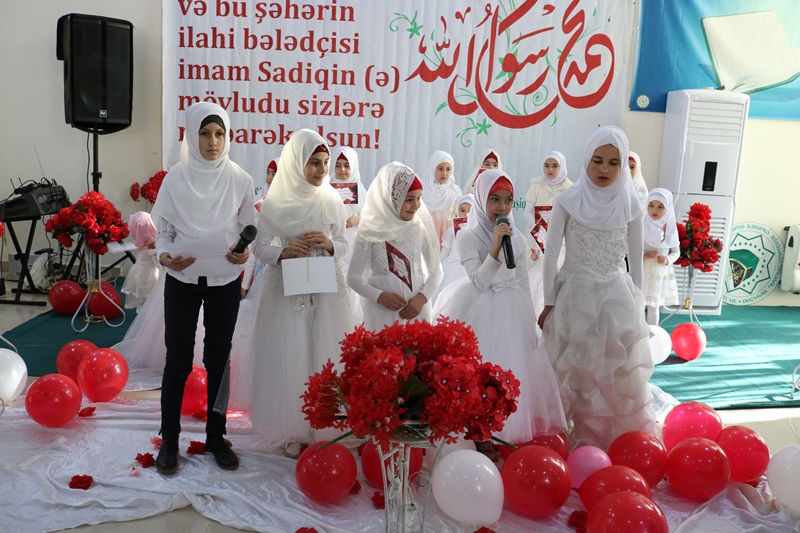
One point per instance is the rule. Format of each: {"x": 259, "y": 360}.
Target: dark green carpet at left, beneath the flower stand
{"x": 40, "y": 338}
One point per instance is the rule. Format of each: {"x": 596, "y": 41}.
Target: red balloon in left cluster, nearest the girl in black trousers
{"x": 103, "y": 374}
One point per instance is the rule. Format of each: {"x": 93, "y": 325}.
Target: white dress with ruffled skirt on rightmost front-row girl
{"x": 596, "y": 335}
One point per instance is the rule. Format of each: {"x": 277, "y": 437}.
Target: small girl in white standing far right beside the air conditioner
{"x": 661, "y": 249}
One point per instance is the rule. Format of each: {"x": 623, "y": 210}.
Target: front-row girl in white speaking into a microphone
{"x": 496, "y": 301}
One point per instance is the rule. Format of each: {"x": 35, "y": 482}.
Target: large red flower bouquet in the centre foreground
{"x": 429, "y": 373}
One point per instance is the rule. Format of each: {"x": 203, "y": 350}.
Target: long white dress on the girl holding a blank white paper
{"x": 291, "y": 338}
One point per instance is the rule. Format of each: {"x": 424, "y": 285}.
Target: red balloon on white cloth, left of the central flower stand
{"x": 326, "y": 475}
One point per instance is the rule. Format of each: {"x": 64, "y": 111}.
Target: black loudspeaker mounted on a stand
{"x": 98, "y": 71}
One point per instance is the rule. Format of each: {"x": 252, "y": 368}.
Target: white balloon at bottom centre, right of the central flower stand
{"x": 467, "y": 486}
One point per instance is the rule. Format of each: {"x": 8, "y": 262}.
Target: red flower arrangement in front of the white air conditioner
{"x": 698, "y": 248}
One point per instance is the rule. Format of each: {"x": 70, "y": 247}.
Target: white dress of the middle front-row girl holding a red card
{"x": 369, "y": 275}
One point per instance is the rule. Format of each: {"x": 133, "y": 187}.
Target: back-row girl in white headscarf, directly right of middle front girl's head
{"x": 440, "y": 192}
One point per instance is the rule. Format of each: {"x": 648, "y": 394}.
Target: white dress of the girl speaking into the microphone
{"x": 496, "y": 303}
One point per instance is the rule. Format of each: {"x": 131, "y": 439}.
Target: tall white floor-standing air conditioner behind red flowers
{"x": 701, "y": 155}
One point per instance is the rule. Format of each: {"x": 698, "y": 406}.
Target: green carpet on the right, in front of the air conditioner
{"x": 748, "y": 360}
